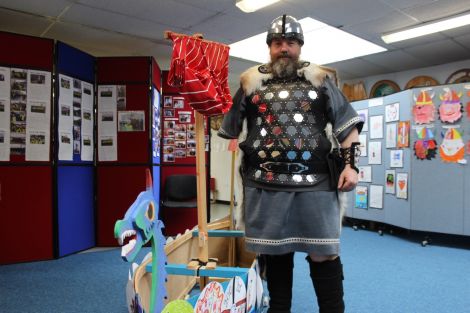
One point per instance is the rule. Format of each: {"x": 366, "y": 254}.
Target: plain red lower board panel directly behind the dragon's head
{"x": 118, "y": 187}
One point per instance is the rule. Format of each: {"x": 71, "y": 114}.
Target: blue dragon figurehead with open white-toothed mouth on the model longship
{"x": 139, "y": 226}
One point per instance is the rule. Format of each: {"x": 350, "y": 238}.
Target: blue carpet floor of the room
{"x": 383, "y": 274}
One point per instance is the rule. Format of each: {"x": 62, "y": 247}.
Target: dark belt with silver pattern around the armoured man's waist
{"x": 295, "y": 168}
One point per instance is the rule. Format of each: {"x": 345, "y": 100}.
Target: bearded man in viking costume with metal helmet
{"x": 290, "y": 193}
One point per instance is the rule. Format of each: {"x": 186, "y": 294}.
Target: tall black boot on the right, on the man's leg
{"x": 327, "y": 278}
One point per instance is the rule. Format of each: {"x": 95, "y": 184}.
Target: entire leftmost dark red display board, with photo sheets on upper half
{"x": 25, "y": 147}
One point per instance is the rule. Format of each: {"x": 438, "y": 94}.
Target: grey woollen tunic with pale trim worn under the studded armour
{"x": 283, "y": 219}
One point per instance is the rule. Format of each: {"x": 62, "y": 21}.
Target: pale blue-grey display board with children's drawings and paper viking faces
{"x": 414, "y": 168}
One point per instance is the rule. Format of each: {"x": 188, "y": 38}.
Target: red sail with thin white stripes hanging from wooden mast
{"x": 200, "y": 69}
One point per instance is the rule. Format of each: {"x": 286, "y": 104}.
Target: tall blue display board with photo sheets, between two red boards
{"x": 74, "y": 150}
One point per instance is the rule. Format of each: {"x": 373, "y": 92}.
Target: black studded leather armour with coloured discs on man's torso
{"x": 286, "y": 144}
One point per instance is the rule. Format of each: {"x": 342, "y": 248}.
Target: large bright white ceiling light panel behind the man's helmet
{"x": 323, "y": 44}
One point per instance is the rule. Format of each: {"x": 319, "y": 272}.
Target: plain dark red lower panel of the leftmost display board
{"x": 26, "y": 213}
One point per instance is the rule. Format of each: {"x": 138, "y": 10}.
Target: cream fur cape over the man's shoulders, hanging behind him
{"x": 251, "y": 80}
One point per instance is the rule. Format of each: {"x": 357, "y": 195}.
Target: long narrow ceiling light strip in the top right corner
{"x": 429, "y": 28}
